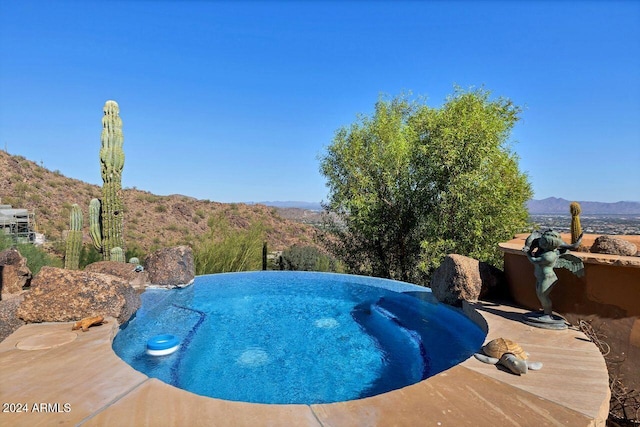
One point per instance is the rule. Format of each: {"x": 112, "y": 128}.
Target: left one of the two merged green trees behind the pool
{"x": 372, "y": 191}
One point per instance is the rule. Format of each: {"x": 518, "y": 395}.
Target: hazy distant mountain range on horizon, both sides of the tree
{"x": 550, "y": 205}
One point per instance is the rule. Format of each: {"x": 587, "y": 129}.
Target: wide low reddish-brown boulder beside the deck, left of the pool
{"x": 59, "y": 295}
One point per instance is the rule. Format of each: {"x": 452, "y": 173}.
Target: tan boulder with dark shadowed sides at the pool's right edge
{"x": 461, "y": 278}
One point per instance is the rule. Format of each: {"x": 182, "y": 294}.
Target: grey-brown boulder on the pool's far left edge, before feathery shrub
{"x": 171, "y": 267}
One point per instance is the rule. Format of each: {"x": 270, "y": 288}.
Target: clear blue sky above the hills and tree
{"x": 235, "y": 101}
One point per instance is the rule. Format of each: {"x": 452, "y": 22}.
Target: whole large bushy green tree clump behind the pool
{"x": 413, "y": 183}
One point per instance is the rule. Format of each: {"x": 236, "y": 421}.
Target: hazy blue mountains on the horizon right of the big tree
{"x": 554, "y": 205}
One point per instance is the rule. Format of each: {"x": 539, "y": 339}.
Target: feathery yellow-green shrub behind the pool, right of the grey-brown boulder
{"x": 224, "y": 249}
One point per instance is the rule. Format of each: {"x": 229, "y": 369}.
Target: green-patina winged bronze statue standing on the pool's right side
{"x": 547, "y": 251}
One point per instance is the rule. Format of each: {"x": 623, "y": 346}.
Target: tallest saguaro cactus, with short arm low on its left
{"x": 106, "y": 225}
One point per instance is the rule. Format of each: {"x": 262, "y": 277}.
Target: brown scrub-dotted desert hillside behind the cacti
{"x": 150, "y": 221}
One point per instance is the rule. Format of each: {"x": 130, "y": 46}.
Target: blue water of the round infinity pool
{"x": 296, "y": 337}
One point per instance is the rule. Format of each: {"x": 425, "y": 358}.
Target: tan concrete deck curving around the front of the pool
{"x": 64, "y": 379}
